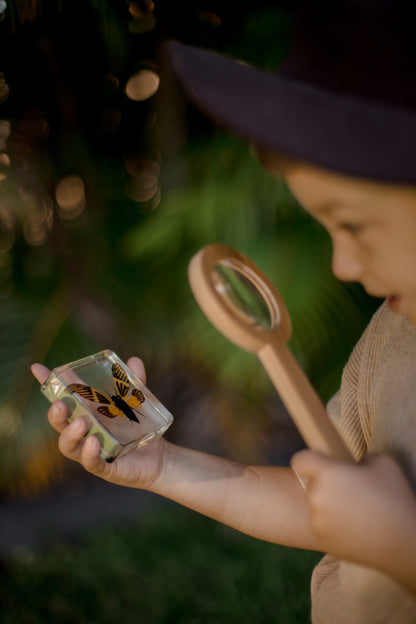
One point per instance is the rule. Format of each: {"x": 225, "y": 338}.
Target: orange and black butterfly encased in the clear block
{"x": 118, "y": 404}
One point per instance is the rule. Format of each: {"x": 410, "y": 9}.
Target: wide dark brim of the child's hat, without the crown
{"x": 347, "y": 134}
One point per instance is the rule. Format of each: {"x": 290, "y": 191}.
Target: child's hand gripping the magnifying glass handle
{"x": 364, "y": 513}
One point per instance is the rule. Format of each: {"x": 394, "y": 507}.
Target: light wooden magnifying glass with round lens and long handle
{"x": 243, "y": 304}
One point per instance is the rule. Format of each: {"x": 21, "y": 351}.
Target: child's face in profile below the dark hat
{"x": 372, "y": 226}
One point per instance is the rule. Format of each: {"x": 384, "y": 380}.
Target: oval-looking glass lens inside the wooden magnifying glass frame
{"x": 242, "y": 295}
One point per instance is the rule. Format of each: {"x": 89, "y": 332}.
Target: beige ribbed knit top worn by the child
{"x": 375, "y": 411}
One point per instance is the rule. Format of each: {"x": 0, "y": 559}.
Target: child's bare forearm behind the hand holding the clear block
{"x": 265, "y": 502}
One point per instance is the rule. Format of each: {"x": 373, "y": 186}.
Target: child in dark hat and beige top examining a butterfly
{"x": 338, "y": 123}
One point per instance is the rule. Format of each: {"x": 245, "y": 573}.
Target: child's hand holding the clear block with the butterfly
{"x": 138, "y": 468}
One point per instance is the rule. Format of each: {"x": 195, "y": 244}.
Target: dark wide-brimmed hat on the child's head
{"x": 344, "y": 99}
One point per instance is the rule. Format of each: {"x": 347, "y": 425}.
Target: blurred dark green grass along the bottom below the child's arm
{"x": 172, "y": 567}
